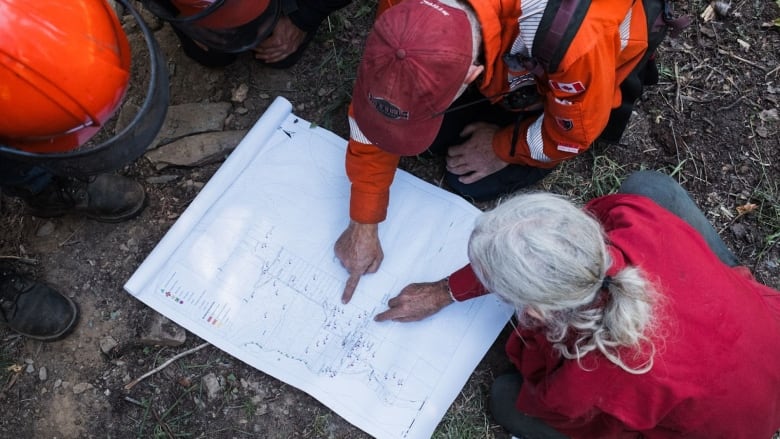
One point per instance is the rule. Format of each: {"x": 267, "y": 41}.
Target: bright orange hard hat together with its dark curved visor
{"x": 63, "y": 80}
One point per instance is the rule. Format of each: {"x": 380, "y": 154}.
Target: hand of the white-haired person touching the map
{"x": 416, "y": 302}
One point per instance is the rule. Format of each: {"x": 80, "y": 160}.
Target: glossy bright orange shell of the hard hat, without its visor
{"x": 64, "y": 70}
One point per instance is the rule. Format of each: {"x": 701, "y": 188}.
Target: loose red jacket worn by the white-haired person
{"x": 717, "y": 367}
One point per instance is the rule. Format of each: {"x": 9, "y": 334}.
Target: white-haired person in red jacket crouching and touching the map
{"x": 633, "y": 318}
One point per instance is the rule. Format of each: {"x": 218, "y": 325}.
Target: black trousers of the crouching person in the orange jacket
{"x": 505, "y": 181}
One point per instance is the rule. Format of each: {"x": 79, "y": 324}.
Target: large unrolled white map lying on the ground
{"x": 249, "y": 267}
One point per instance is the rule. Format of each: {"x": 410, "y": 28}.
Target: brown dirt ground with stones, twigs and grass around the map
{"x": 712, "y": 122}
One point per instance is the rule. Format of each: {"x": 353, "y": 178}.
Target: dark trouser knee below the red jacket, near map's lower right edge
{"x": 503, "y": 395}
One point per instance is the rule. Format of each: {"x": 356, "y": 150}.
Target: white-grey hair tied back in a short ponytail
{"x": 548, "y": 259}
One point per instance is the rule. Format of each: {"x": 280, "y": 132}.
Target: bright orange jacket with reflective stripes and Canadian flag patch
{"x": 577, "y": 98}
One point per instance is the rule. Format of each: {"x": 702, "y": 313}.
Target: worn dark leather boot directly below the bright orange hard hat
{"x": 107, "y": 197}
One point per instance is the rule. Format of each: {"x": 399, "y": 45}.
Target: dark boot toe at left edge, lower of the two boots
{"x": 34, "y": 309}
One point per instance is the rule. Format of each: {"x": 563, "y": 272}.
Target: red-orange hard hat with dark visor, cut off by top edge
{"x": 226, "y": 25}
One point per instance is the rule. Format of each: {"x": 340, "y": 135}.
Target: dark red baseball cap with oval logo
{"x": 415, "y": 62}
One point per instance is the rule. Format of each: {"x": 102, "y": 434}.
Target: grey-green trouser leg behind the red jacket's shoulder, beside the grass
{"x": 668, "y": 194}
